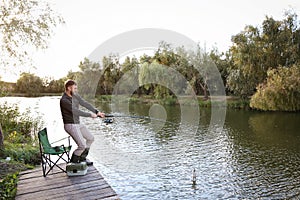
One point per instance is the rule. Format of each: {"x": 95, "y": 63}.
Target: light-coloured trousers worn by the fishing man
{"x": 81, "y": 135}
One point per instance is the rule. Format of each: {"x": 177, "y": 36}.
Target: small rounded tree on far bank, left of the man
{"x": 29, "y": 84}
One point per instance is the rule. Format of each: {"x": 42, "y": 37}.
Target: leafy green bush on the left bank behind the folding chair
{"x": 20, "y": 140}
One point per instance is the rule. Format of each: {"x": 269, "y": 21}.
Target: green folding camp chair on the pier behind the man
{"x": 48, "y": 152}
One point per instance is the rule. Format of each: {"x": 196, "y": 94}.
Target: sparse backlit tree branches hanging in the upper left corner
{"x": 24, "y": 23}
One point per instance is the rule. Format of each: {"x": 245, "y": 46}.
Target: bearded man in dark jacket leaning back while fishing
{"x": 69, "y": 106}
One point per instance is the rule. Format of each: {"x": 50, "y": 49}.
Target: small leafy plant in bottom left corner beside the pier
{"x": 8, "y": 186}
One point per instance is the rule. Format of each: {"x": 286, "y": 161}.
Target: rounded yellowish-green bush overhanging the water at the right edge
{"x": 280, "y": 92}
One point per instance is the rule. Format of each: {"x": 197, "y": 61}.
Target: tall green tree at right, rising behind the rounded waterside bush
{"x": 258, "y": 49}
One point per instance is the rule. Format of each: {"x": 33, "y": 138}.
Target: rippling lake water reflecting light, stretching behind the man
{"x": 255, "y": 155}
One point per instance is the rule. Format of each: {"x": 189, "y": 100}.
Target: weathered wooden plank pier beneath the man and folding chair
{"x": 57, "y": 185}
